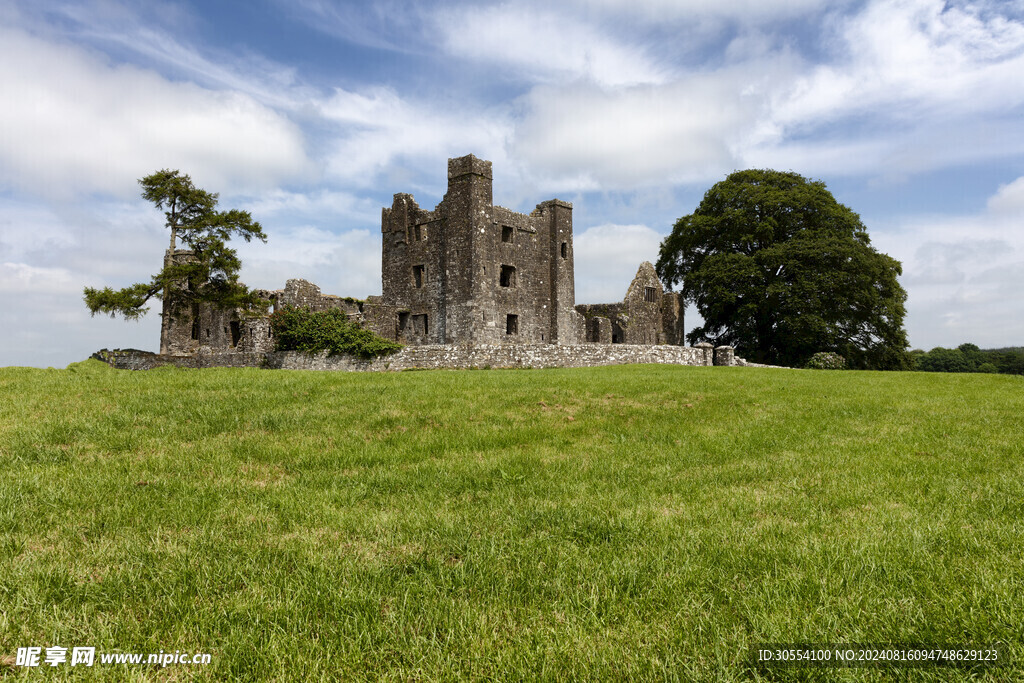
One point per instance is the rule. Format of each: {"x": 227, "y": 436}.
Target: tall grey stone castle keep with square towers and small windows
{"x": 471, "y": 272}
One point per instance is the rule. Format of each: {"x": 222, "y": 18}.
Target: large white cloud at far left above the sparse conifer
{"x": 73, "y": 123}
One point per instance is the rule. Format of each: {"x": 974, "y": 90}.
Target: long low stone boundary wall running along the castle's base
{"x": 436, "y": 358}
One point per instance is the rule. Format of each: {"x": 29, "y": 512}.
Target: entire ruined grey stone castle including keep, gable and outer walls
{"x": 467, "y": 275}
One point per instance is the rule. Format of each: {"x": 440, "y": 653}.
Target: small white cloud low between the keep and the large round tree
{"x": 607, "y": 259}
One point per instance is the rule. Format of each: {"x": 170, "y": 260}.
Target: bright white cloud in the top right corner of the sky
{"x": 914, "y": 58}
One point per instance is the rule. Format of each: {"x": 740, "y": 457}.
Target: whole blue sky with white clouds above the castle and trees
{"x": 312, "y": 114}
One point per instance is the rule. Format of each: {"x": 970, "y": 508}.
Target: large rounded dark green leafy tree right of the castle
{"x": 781, "y": 271}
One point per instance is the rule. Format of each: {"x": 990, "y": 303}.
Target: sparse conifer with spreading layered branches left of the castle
{"x": 206, "y": 271}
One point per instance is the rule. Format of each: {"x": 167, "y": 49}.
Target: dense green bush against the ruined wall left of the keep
{"x": 305, "y": 330}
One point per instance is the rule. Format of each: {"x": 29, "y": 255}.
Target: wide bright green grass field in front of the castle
{"x": 626, "y": 524}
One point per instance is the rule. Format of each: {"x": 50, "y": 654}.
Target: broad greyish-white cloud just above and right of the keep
{"x": 592, "y": 139}
